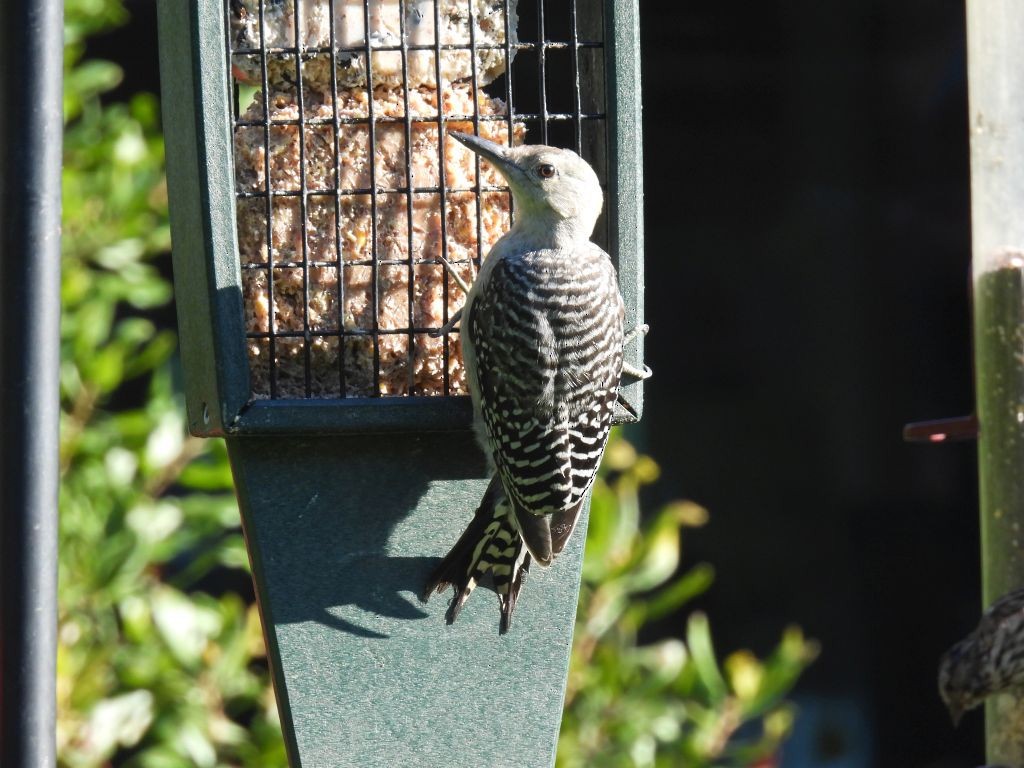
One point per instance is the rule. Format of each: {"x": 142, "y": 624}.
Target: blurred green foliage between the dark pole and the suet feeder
{"x": 153, "y": 671}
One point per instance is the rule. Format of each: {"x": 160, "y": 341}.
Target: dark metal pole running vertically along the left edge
{"x": 31, "y": 130}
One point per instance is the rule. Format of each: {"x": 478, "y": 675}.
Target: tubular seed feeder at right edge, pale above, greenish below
{"x": 996, "y": 60}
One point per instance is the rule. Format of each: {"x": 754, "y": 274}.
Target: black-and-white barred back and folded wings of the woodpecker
{"x": 547, "y": 330}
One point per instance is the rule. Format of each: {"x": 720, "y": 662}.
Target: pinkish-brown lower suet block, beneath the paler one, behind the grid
{"x": 321, "y": 300}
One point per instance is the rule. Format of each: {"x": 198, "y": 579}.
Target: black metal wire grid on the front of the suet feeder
{"x": 569, "y": 31}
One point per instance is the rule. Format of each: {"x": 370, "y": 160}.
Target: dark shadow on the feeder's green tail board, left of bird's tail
{"x": 343, "y": 529}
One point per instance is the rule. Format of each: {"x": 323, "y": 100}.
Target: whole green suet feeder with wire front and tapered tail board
{"x": 315, "y": 192}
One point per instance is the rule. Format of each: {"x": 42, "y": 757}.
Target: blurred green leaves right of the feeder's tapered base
{"x": 670, "y": 703}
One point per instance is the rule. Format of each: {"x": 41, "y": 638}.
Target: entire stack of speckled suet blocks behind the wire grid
{"x": 329, "y": 237}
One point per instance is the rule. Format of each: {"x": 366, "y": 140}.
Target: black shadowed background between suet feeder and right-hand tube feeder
{"x": 807, "y": 255}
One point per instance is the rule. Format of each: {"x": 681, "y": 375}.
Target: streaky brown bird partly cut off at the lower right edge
{"x": 989, "y": 661}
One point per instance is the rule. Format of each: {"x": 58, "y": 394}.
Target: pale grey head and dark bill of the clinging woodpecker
{"x": 552, "y": 188}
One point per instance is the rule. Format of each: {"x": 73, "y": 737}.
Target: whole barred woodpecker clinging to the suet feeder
{"x": 542, "y": 337}
